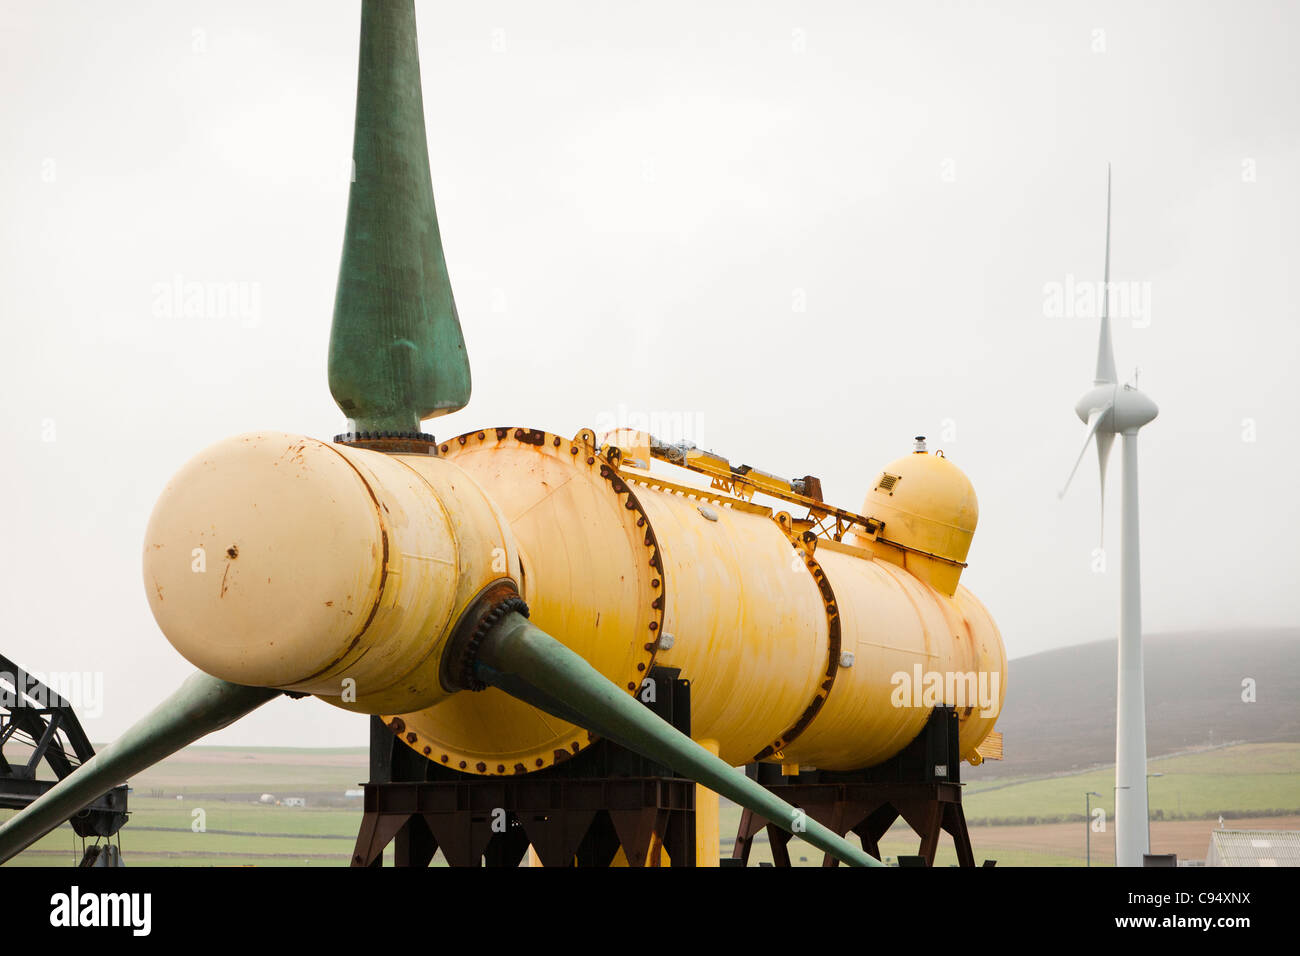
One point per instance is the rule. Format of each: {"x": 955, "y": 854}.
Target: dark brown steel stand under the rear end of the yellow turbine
{"x": 921, "y": 785}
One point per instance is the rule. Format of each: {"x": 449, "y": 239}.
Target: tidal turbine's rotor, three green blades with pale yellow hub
{"x": 440, "y": 616}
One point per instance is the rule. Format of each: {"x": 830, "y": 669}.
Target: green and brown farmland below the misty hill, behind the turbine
{"x": 1251, "y": 785}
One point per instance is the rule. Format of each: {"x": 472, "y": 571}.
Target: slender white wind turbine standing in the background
{"x": 1111, "y": 409}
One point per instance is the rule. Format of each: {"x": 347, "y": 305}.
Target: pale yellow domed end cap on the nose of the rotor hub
{"x": 265, "y": 559}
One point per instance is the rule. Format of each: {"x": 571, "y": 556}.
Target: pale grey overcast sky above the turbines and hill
{"x": 801, "y": 233}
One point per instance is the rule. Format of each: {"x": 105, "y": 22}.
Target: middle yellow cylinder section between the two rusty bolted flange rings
{"x": 747, "y": 621}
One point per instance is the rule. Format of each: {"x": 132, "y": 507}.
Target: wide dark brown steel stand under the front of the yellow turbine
{"x": 580, "y": 812}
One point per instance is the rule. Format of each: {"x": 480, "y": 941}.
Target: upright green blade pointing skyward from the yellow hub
{"x": 397, "y": 356}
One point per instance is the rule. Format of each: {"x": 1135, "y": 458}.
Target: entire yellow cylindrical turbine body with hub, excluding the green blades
{"x": 356, "y": 576}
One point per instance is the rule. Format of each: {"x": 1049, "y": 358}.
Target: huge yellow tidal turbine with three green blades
{"x": 501, "y": 599}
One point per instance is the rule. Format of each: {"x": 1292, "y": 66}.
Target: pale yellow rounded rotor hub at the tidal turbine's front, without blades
{"x": 281, "y": 561}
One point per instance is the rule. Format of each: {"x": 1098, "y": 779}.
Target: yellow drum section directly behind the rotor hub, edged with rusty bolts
{"x": 591, "y": 579}
